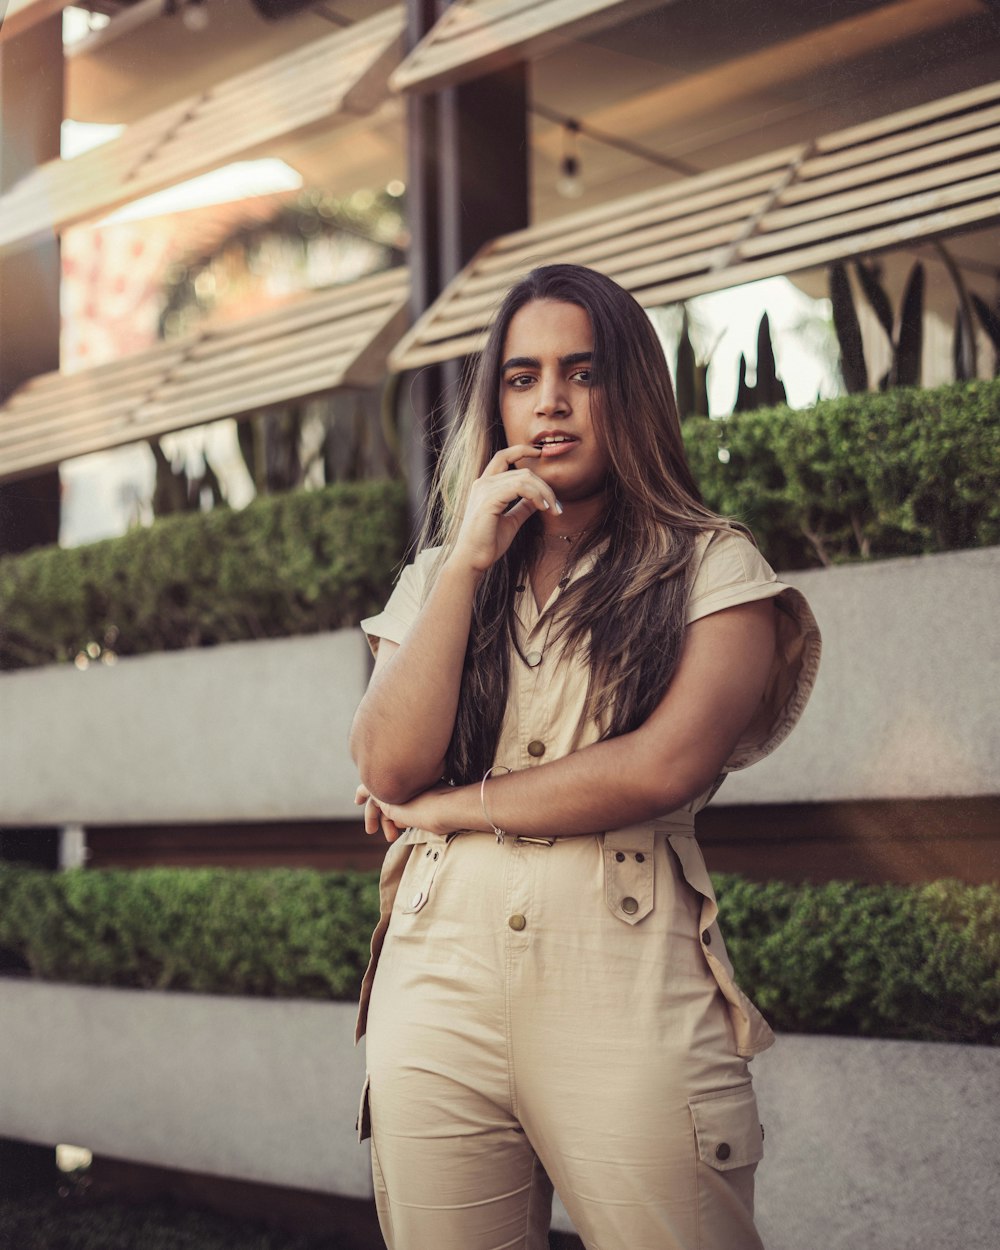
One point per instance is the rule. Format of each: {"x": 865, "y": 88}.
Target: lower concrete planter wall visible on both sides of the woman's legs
{"x": 876, "y": 1144}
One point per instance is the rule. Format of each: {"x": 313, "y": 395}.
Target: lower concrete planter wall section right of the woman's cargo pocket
{"x": 878, "y": 1144}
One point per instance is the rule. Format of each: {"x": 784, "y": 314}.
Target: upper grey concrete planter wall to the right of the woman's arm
{"x": 906, "y": 706}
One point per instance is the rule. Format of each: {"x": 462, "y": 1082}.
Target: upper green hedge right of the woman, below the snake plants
{"x": 901, "y": 473}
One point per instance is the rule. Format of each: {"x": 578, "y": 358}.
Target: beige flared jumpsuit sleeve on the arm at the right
{"x": 733, "y": 572}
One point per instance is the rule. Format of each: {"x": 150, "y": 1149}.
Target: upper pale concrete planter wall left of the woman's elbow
{"x": 243, "y": 732}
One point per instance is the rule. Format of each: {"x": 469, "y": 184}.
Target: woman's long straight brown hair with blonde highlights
{"x": 628, "y": 613}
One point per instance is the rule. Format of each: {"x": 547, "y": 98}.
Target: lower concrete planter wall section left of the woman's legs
{"x": 254, "y": 1089}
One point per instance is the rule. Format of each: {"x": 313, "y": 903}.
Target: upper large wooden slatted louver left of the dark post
{"x": 337, "y": 78}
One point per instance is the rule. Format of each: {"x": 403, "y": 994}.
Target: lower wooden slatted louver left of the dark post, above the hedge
{"x": 328, "y": 339}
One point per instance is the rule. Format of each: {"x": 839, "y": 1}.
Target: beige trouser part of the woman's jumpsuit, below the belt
{"x": 522, "y": 1033}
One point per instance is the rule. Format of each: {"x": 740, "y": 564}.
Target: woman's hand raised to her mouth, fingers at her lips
{"x": 491, "y": 523}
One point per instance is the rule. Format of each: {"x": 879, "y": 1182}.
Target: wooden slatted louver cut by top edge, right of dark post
{"x": 478, "y": 37}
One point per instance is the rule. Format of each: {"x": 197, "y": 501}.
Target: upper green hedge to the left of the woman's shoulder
{"x": 287, "y": 564}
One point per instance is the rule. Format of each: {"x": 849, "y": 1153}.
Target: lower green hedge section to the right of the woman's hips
{"x": 918, "y": 962}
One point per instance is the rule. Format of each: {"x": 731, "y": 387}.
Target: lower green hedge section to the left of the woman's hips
{"x": 274, "y": 933}
